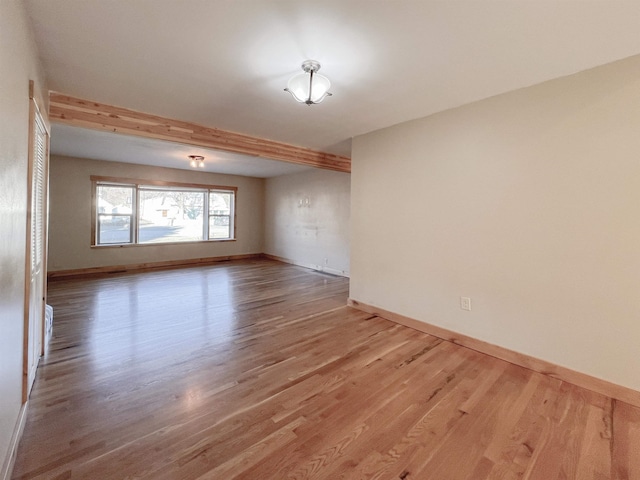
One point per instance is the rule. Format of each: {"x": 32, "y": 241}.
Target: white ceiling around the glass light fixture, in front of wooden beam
{"x": 224, "y": 63}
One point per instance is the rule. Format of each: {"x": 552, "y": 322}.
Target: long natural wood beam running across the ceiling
{"x": 77, "y": 112}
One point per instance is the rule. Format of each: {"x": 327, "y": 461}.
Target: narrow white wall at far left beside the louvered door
{"x": 19, "y": 64}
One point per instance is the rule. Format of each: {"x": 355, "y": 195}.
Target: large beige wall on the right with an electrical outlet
{"x": 529, "y": 203}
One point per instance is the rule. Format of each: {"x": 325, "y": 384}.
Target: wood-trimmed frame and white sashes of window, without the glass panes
{"x": 139, "y": 185}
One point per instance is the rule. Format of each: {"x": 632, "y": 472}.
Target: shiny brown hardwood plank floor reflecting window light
{"x": 258, "y": 370}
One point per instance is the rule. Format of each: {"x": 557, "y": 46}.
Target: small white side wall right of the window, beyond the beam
{"x": 314, "y": 234}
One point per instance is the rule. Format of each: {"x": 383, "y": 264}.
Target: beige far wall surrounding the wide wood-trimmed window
{"x": 70, "y": 215}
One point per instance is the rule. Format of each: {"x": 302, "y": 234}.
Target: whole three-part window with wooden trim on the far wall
{"x": 144, "y": 212}
